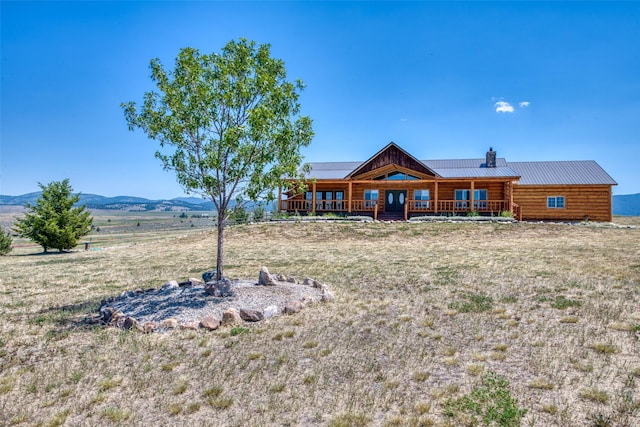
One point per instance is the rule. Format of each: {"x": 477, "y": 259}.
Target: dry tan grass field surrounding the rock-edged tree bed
{"x": 423, "y": 313}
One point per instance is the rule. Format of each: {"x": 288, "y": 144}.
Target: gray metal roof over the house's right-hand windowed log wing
{"x": 580, "y": 172}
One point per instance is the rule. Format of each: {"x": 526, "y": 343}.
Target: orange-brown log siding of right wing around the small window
{"x": 581, "y": 202}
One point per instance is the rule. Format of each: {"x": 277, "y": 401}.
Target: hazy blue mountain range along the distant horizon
{"x": 623, "y": 204}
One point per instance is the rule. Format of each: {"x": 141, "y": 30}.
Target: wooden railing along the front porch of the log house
{"x": 412, "y": 206}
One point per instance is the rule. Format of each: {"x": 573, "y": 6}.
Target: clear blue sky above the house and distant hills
{"x": 535, "y": 81}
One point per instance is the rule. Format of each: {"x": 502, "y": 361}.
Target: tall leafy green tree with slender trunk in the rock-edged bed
{"x": 232, "y": 119}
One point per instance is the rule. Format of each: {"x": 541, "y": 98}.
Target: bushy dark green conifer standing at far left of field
{"x": 53, "y": 221}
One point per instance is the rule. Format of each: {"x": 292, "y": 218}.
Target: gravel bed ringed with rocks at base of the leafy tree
{"x": 191, "y": 303}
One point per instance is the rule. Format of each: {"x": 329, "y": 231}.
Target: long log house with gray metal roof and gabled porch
{"x": 394, "y": 185}
